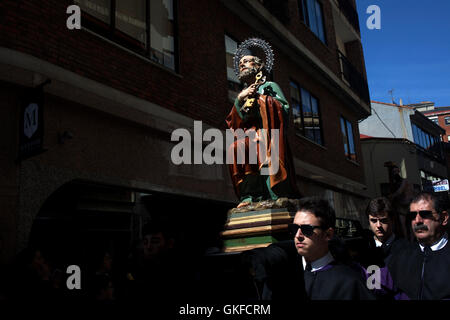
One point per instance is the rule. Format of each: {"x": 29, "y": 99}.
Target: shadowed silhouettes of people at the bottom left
{"x": 149, "y": 271}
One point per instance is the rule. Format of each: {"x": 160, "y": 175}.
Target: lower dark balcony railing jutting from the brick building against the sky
{"x": 353, "y": 78}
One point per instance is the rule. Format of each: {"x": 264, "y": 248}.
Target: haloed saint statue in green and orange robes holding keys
{"x": 260, "y": 105}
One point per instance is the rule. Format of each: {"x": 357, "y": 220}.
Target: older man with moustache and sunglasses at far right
{"x": 422, "y": 273}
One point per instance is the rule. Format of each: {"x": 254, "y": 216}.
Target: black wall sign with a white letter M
{"x": 31, "y": 123}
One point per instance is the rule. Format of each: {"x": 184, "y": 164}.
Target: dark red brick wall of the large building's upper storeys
{"x": 200, "y": 89}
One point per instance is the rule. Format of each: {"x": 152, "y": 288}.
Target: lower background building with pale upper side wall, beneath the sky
{"x": 404, "y": 136}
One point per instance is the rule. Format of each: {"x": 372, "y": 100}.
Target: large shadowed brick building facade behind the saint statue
{"x": 88, "y": 114}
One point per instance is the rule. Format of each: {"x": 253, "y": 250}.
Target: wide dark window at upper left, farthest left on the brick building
{"x": 144, "y": 26}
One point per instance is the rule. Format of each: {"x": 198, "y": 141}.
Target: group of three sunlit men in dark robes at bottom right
{"x": 316, "y": 266}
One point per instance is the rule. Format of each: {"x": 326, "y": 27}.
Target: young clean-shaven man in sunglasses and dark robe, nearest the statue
{"x": 305, "y": 269}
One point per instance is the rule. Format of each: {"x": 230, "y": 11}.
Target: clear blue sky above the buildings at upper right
{"x": 410, "y": 53}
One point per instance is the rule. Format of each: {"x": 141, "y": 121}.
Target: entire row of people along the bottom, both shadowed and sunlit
{"x": 314, "y": 265}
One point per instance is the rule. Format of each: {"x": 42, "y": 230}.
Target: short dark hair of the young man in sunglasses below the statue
{"x": 320, "y": 208}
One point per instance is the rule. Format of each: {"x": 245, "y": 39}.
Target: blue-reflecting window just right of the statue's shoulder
{"x": 305, "y": 108}
